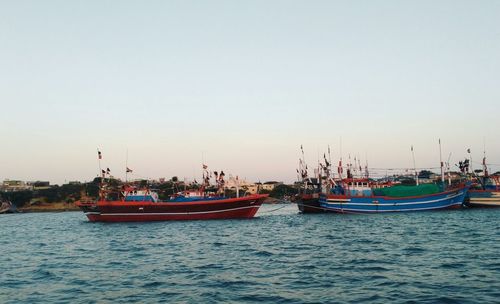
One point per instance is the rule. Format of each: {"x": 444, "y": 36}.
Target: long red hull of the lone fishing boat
{"x": 120, "y": 211}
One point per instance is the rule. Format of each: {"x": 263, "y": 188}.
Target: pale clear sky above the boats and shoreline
{"x": 243, "y": 83}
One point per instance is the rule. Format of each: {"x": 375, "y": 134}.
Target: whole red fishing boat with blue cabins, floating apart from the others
{"x": 130, "y": 203}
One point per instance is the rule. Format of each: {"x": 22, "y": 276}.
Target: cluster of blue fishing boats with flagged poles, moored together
{"x": 358, "y": 193}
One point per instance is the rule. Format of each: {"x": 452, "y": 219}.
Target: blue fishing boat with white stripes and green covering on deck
{"x": 393, "y": 199}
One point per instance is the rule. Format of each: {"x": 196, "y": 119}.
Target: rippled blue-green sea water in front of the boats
{"x": 280, "y": 256}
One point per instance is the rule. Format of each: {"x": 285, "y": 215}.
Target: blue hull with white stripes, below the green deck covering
{"x": 379, "y": 204}
